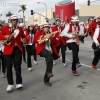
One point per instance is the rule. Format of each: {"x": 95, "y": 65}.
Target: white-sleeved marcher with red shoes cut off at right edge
{"x": 96, "y": 44}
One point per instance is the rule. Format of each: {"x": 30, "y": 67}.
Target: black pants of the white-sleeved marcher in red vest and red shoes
{"x": 75, "y": 49}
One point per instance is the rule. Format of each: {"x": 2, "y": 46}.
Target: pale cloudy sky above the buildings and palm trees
{"x": 13, "y": 6}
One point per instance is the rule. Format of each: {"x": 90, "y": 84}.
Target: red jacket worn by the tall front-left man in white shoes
{"x": 8, "y": 49}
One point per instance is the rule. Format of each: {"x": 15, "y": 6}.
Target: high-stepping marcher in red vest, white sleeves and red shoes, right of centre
{"x": 71, "y": 41}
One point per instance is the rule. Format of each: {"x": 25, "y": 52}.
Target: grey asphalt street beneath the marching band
{"x": 65, "y": 86}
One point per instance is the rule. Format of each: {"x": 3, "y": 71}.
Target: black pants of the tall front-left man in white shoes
{"x": 15, "y": 58}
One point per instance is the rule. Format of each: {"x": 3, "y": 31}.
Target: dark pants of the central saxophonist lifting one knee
{"x": 49, "y": 63}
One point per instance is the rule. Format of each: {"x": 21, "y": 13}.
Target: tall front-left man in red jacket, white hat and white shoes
{"x": 13, "y": 51}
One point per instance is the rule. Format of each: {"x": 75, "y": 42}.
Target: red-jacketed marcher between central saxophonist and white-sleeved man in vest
{"x": 61, "y": 43}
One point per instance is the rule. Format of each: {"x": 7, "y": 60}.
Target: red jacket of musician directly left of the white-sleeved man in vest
{"x": 61, "y": 39}
